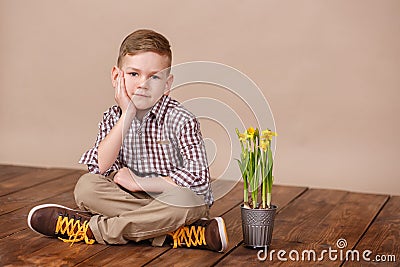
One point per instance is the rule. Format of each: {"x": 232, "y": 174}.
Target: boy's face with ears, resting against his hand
{"x": 146, "y": 78}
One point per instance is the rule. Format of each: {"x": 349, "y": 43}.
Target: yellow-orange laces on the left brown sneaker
{"x": 73, "y": 229}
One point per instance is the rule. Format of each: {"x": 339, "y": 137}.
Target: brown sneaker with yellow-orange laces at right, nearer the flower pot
{"x": 207, "y": 234}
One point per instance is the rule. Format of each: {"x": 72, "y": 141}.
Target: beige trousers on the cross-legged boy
{"x": 121, "y": 216}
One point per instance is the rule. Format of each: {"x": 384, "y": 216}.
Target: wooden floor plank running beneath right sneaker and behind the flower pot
{"x": 195, "y": 257}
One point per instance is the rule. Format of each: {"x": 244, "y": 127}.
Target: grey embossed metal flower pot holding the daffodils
{"x": 257, "y": 226}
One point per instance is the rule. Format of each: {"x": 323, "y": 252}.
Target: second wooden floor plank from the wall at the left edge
{"x": 30, "y": 179}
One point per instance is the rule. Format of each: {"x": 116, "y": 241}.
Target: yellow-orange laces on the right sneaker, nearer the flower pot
{"x": 189, "y": 236}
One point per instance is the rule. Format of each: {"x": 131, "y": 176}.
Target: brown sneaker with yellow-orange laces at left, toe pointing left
{"x": 58, "y": 221}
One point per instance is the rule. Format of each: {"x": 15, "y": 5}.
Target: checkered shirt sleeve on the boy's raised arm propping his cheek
{"x": 90, "y": 157}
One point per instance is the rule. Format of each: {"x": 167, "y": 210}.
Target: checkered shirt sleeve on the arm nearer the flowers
{"x": 195, "y": 172}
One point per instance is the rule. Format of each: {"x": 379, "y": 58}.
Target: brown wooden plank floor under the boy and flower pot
{"x": 307, "y": 220}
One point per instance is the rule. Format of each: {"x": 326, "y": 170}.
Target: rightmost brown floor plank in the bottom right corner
{"x": 382, "y": 238}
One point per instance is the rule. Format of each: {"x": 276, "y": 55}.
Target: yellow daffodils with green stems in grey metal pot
{"x": 256, "y": 164}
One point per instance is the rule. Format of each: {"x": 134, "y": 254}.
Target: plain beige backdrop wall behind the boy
{"x": 329, "y": 69}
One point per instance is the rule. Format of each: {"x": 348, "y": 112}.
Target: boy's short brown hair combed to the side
{"x": 145, "y": 41}
